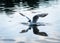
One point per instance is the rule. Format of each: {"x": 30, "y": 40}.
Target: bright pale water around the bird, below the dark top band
{"x": 10, "y": 26}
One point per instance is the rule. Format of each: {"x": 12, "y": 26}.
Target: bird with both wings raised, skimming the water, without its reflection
{"x": 35, "y": 18}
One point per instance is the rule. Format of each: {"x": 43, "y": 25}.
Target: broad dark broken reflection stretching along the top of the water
{"x": 20, "y": 3}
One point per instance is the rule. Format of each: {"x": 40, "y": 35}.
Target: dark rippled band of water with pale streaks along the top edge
{"x": 9, "y": 6}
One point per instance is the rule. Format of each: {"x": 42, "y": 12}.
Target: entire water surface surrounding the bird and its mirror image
{"x": 10, "y": 20}
